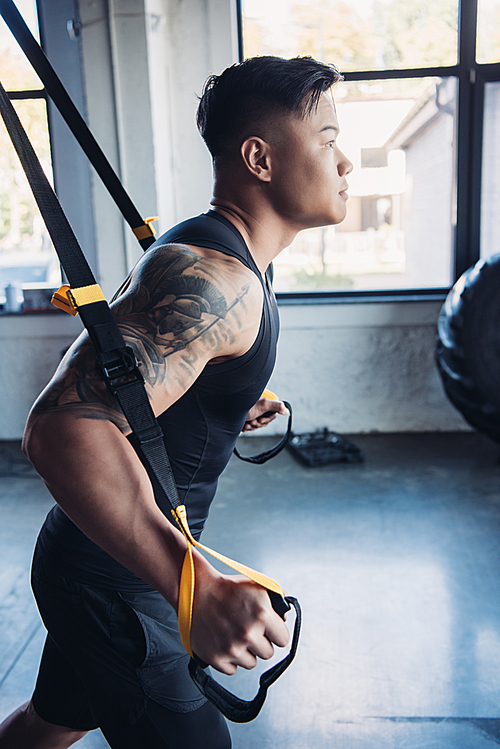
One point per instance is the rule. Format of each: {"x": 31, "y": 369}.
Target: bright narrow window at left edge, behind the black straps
{"x": 28, "y": 263}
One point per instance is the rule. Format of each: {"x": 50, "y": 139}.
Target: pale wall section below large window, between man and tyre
{"x": 361, "y": 368}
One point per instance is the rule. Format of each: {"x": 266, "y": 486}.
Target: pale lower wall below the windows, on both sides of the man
{"x": 349, "y": 367}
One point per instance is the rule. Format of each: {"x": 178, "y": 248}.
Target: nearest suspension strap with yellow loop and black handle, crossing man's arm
{"x": 120, "y": 371}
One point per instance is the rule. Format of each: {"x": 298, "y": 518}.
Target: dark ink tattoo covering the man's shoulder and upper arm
{"x": 174, "y": 298}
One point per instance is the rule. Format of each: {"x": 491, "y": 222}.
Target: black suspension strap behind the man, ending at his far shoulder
{"x": 142, "y": 228}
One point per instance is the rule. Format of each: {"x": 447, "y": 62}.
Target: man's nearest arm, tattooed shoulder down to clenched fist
{"x": 181, "y": 309}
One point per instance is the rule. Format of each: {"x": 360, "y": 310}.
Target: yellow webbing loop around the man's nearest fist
{"x": 186, "y": 591}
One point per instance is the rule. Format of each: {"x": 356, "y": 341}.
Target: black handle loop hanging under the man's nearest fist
{"x": 231, "y": 706}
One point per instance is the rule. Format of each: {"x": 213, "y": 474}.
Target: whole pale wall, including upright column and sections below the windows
{"x": 350, "y": 367}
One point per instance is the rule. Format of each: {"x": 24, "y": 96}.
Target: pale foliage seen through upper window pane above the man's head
{"x": 359, "y": 36}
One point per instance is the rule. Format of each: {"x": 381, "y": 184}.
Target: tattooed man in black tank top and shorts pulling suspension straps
{"x": 200, "y": 315}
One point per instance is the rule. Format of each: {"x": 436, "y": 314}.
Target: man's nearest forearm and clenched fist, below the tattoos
{"x": 96, "y": 477}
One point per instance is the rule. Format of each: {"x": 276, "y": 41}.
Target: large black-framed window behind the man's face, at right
{"x": 411, "y": 115}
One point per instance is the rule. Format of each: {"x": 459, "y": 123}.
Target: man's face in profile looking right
{"x": 309, "y": 171}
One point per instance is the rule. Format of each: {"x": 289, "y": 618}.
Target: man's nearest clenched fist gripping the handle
{"x": 233, "y": 621}
